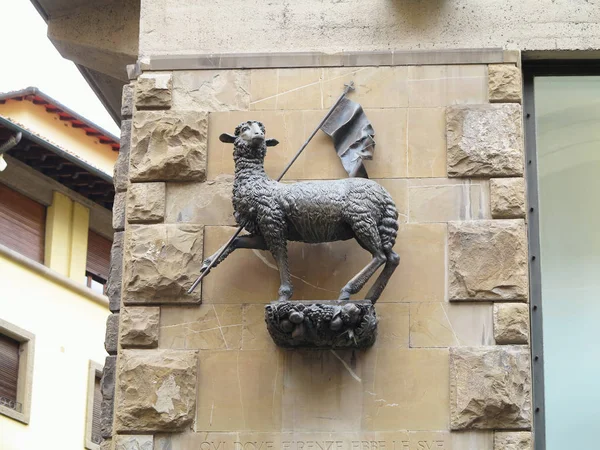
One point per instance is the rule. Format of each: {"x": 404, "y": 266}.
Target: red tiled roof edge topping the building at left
{"x": 66, "y": 114}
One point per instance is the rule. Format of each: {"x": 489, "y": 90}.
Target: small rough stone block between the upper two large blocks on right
{"x": 507, "y": 196}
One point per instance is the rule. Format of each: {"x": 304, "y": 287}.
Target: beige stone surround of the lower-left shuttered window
{"x": 25, "y": 374}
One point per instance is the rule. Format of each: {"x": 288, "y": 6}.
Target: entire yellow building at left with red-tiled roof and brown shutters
{"x": 56, "y": 197}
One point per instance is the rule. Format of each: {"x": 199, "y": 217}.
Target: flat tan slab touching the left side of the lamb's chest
{"x": 208, "y": 203}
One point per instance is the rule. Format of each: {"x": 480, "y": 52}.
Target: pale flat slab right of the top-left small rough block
{"x": 211, "y": 90}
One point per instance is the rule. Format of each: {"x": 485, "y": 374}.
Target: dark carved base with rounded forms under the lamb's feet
{"x": 322, "y": 324}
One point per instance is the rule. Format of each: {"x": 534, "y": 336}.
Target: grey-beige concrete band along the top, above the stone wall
{"x": 187, "y": 27}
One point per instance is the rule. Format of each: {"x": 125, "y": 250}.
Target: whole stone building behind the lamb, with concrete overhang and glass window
{"x": 485, "y": 116}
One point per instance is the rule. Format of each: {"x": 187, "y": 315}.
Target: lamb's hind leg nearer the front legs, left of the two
{"x": 367, "y": 236}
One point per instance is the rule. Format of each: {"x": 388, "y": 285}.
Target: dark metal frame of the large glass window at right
{"x": 532, "y": 69}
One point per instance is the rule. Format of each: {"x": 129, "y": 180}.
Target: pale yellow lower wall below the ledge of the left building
{"x": 69, "y": 331}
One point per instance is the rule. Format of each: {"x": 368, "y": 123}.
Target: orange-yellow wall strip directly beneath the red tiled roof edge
{"x": 60, "y": 133}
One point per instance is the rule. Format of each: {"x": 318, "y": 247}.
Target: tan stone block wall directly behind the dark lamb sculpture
{"x": 451, "y": 362}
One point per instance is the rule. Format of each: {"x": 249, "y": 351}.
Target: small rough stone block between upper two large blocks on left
{"x": 146, "y": 202}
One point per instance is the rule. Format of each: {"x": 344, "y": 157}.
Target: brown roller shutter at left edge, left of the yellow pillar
{"x": 22, "y": 224}
